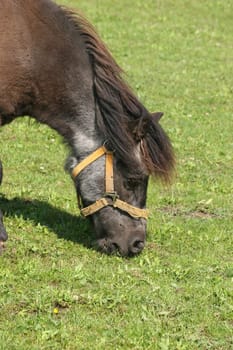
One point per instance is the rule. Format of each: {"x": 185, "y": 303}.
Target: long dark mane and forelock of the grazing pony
{"x": 120, "y": 116}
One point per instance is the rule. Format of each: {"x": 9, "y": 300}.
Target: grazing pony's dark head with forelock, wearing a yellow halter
{"x": 113, "y": 189}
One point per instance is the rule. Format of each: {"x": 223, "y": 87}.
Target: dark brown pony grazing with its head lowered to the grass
{"x": 55, "y": 68}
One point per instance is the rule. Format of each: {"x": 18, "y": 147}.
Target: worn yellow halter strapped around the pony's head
{"x": 110, "y": 197}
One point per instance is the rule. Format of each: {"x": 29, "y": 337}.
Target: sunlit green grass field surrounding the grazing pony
{"x": 55, "y": 292}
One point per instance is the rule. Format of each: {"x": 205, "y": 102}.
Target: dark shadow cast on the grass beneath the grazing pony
{"x": 64, "y": 225}
